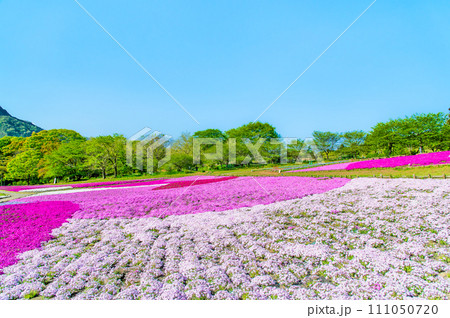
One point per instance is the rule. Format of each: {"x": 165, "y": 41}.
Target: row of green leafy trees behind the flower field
{"x": 68, "y": 156}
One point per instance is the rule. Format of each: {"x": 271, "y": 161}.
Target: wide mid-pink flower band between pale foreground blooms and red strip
{"x": 217, "y": 196}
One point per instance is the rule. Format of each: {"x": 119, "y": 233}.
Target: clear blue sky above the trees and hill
{"x": 225, "y": 61}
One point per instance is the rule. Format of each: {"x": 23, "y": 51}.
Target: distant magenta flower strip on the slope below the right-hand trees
{"x": 427, "y": 159}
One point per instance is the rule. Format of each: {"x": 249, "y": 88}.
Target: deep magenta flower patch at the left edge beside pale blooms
{"x": 24, "y": 226}
